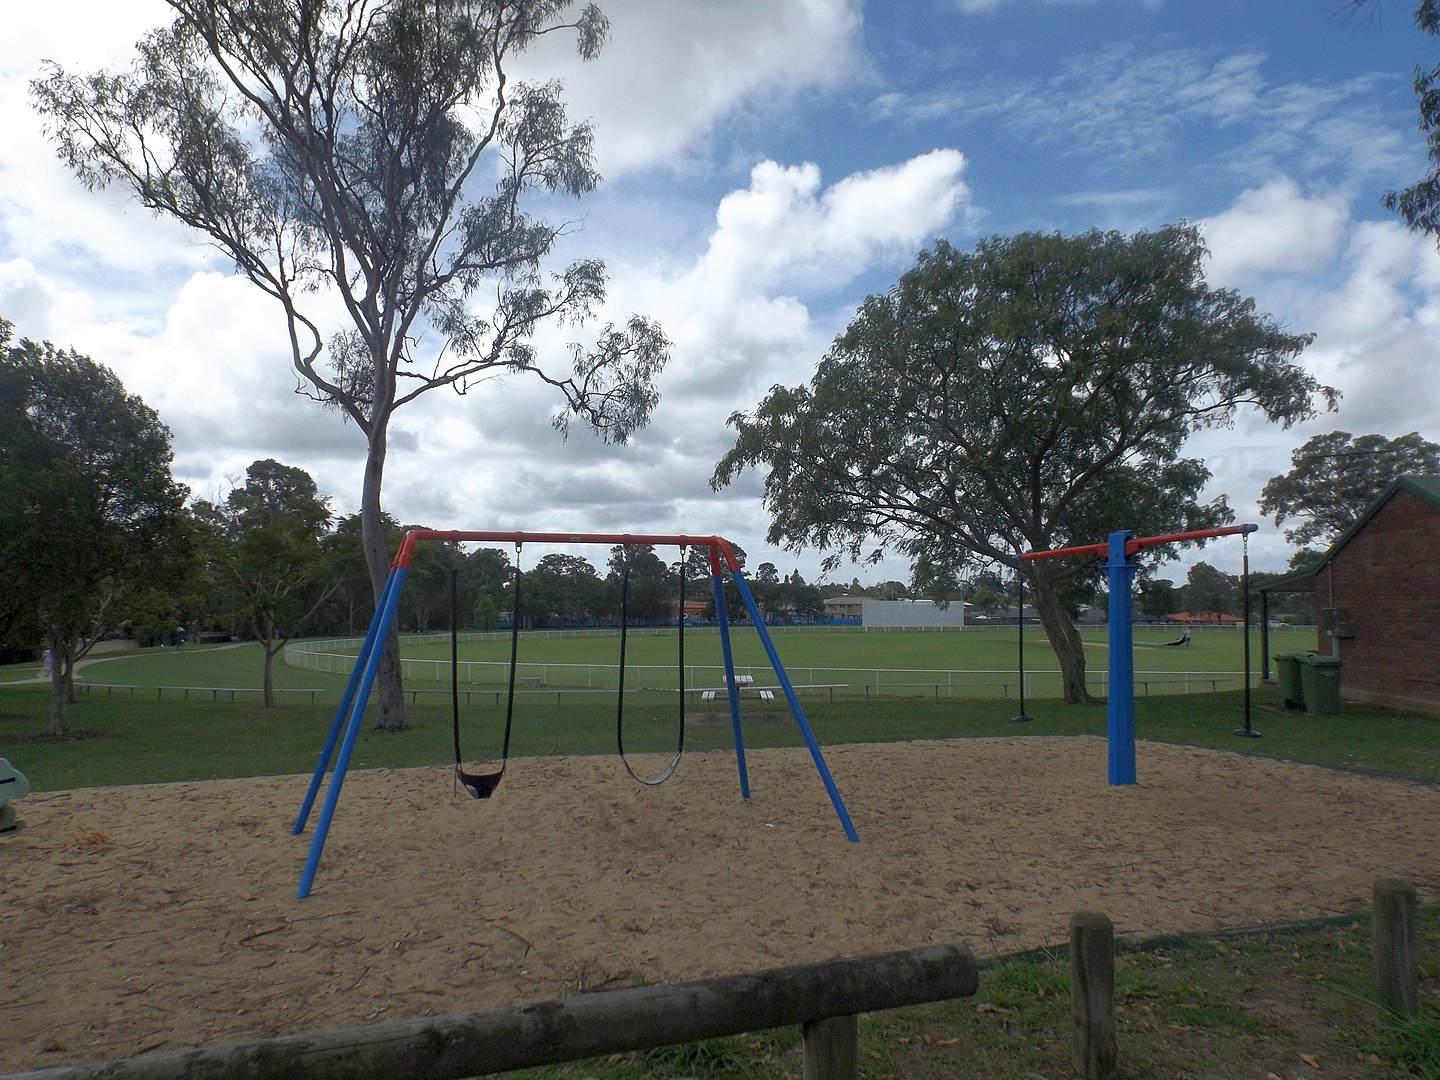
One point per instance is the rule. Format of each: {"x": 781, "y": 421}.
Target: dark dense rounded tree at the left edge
{"x": 94, "y": 525}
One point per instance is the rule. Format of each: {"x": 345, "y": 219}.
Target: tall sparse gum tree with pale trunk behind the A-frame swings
{"x": 374, "y": 153}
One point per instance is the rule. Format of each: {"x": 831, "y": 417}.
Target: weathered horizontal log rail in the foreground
{"x": 570, "y": 1029}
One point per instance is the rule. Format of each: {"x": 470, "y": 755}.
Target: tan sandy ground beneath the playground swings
{"x": 165, "y": 917}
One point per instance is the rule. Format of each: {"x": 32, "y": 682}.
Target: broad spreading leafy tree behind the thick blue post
{"x": 1033, "y": 394}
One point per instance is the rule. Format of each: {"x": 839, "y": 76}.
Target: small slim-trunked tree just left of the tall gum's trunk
{"x": 269, "y": 557}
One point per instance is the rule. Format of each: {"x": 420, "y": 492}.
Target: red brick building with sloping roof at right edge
{"x": 1377, "y": 600}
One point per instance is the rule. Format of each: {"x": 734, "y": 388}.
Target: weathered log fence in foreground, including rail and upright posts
{"x": 824, "y": 1000}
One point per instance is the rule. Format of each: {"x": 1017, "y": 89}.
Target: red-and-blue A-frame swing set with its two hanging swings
{"x": 482, "y": 786}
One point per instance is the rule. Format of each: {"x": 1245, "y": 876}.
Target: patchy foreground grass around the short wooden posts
{"x": 1291, "y": 1003}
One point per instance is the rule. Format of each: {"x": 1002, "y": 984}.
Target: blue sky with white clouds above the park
{"x": 768, "y": 165}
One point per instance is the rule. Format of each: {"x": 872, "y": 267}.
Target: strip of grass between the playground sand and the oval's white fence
{"x": 148, "y": 737}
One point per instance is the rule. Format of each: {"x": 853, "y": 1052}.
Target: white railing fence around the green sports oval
{"x": 335, "y": 656}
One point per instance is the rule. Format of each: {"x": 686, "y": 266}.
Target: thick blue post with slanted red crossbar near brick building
{"x": 1120, "y": 570}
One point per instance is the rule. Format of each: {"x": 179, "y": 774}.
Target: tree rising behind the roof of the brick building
{"x": 1337, "y": 477}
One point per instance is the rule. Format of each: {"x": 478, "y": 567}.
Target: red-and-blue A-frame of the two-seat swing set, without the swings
{"x": 346, "y": 725}
